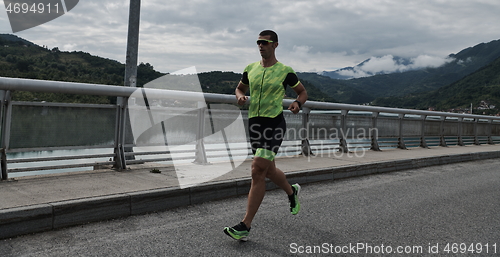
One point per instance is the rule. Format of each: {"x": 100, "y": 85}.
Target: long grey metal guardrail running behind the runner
{"x": 386, "y": 127}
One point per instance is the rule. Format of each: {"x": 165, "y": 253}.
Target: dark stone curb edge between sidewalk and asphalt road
{"x": 44, "y": 217}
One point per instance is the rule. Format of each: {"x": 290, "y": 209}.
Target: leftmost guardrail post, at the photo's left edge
{"x": 6, "y": 115}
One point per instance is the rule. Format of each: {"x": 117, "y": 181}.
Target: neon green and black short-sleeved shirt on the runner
{"x": 267, "y": 88}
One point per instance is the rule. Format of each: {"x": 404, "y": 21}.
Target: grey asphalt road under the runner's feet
{"x": 451, "y": 210}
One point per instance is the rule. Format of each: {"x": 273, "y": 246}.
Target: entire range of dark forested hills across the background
{"x": 20, "y": 58}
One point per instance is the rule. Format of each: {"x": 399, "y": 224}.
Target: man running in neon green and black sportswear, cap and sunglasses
{"x": 267, "y": 81}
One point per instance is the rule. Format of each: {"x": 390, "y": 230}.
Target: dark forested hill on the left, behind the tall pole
{"x": 20, "y": 58}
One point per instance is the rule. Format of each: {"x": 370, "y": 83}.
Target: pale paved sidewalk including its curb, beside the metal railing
{"x": 41, "y": 203}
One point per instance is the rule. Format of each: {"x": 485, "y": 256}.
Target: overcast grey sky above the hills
{"x": 220, "y": 35}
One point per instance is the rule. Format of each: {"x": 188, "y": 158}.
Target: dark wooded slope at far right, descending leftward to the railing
{"x": 481, "y": 89}
